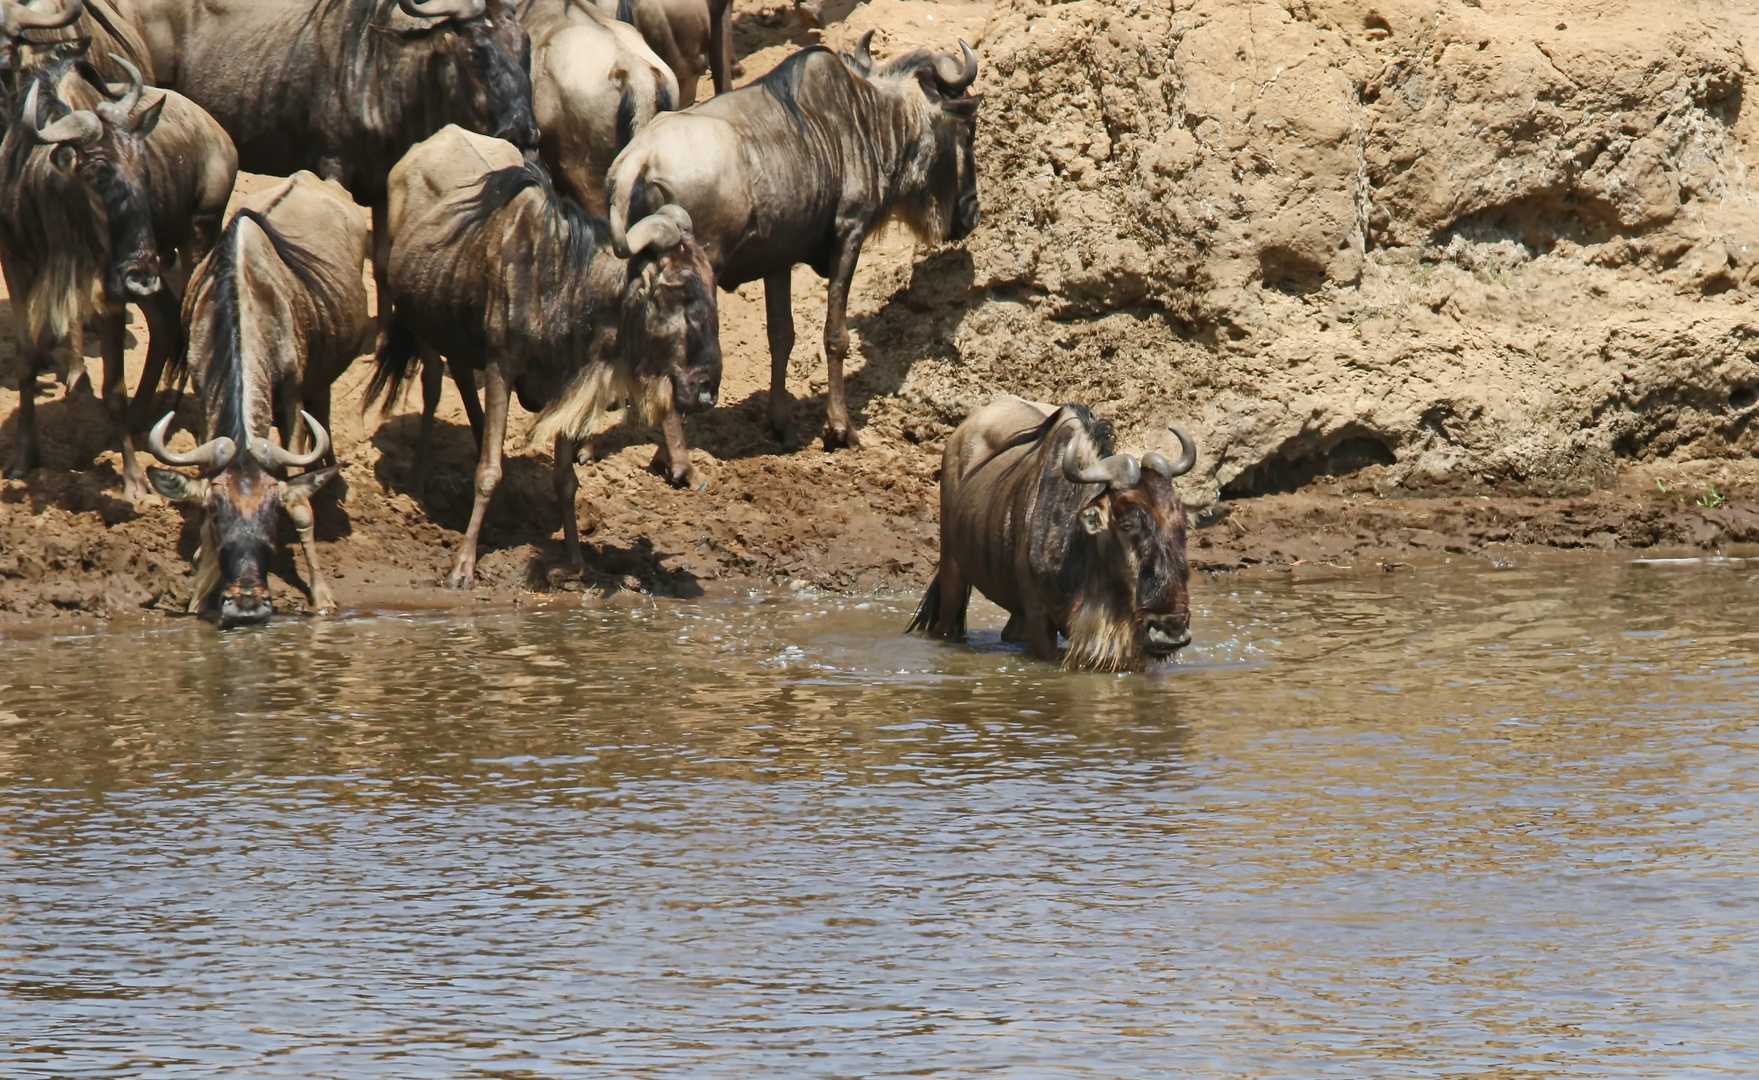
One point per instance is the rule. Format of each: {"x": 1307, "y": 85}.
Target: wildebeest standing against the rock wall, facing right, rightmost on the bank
{"x": 799, "y": 168}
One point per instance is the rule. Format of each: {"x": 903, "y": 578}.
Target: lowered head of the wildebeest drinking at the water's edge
{"x": 238, "y": 495}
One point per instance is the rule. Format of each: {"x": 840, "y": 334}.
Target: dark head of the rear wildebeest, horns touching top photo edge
{"x": 483, "y": 64}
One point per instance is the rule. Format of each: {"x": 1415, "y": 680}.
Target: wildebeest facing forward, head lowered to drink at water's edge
{"x": 275, "y": 314}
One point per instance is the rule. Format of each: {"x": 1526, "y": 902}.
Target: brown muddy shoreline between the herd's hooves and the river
{"x": 768, "y": 523}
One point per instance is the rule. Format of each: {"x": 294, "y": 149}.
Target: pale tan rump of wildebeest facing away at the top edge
{"x": 594, "y": 84}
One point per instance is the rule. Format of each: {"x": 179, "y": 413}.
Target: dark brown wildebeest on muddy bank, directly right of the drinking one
{"x": 495, "y": 272}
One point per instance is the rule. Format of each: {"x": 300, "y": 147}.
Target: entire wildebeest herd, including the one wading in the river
{"x": 551, "y": 217}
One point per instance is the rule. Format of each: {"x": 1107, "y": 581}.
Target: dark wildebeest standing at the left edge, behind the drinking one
{"x": 89, "y": 208}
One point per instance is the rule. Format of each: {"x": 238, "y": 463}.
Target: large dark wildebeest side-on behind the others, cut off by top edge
{"x": 344, "y": 87}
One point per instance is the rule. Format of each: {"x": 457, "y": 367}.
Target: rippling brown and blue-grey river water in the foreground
{"x": 1463, "y": 822}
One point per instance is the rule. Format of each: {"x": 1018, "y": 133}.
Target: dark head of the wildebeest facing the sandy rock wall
{"x": 945, "y": 205}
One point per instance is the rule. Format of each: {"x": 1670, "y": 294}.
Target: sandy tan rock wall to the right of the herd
{"x": 1449, "y": 245}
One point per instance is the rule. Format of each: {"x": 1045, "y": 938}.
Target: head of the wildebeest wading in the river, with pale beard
{"x": 1134, "y": 594}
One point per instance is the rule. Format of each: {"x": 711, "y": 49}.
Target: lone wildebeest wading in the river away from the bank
{"x": 1040, "y": 516}
